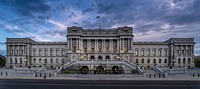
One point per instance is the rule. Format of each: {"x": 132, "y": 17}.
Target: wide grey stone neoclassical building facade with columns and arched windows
{"x": 100, "y": 45}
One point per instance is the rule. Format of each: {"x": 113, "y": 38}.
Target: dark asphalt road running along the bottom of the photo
{"x": 96, "y": 84}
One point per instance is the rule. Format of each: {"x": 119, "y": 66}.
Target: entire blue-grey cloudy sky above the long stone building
{"x": 152, "y": 20}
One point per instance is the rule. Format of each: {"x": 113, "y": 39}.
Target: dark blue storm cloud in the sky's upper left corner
{"x": 30, "y": 8}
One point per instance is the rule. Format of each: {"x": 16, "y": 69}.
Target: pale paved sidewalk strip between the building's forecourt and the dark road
{"x": 107, "y": 77}
